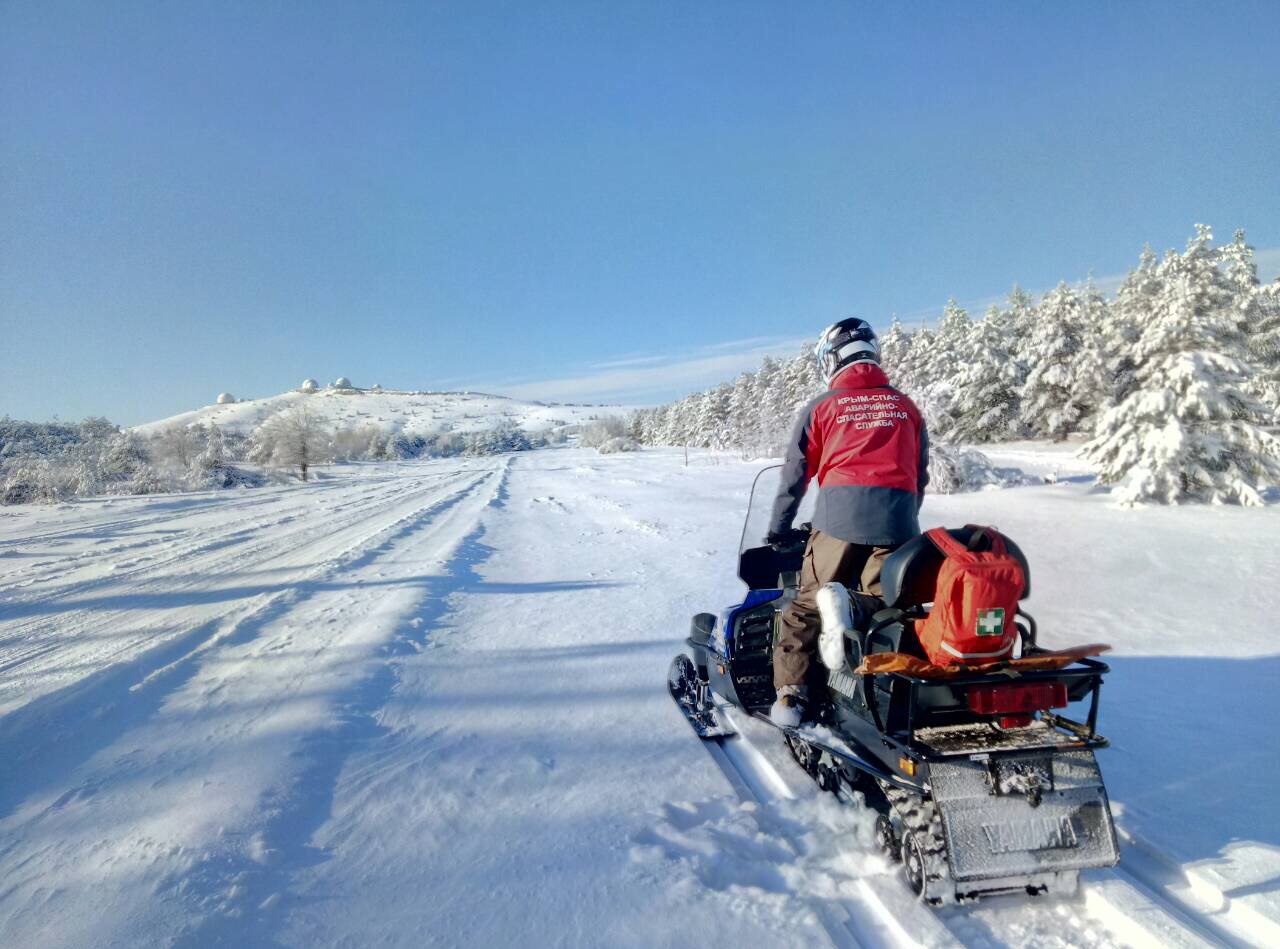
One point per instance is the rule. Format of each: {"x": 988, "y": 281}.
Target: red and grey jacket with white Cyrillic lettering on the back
{"x": 867, "y": 445}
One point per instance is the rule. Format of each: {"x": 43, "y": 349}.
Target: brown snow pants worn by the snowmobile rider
{"x": 826, "y": 560}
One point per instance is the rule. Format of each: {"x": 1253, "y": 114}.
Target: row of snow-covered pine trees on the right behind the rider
{"x": 1176, "y": 381}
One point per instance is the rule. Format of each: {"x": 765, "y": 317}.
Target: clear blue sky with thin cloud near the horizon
{"x": 587, "y": 202}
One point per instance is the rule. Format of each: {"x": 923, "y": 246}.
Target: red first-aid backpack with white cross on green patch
{"x": 972, "y": 620}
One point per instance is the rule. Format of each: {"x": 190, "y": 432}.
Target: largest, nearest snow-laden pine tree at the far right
{"x": 1188, "y": 431}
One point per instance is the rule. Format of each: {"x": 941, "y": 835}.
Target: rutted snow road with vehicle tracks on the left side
{"x": 167, "y": 726}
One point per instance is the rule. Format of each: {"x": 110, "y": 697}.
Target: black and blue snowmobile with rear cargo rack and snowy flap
{"x": 981, "y": 784}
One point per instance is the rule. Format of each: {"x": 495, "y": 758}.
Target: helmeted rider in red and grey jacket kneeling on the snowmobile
{"x": 867, "y": 445}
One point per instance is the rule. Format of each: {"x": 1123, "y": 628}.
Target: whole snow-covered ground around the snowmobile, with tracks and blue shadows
{"x": 426, "y": 705}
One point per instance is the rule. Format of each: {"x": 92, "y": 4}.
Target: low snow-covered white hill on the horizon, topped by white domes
{"x": 392, "y": 410}
